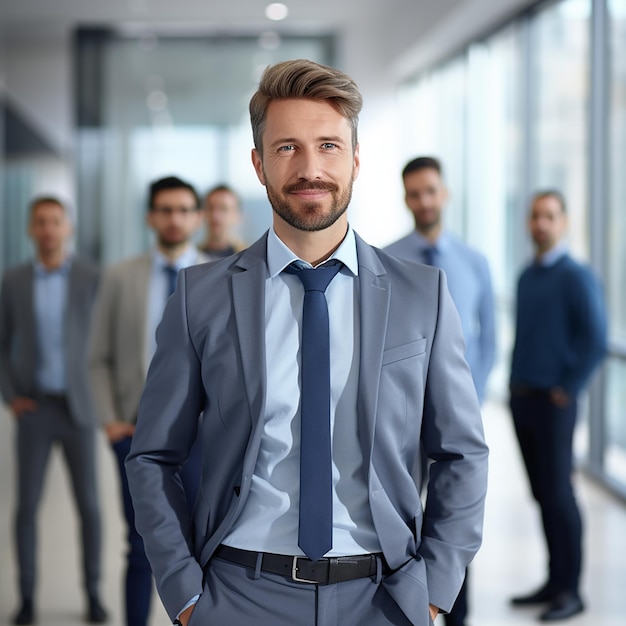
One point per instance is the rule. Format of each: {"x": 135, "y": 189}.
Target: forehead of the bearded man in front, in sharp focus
{"x": 304, "y": 118}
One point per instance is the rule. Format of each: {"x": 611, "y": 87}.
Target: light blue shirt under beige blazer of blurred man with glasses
{"x": 158, "y": 292}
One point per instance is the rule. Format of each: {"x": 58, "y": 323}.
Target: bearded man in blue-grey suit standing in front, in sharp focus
{"x": 233, "y": 344}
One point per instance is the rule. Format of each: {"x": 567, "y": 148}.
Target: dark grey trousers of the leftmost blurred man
{"x": 37, "y": 432}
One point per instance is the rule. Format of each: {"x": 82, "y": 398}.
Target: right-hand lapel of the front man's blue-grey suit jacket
{"x": 375, "y": 295}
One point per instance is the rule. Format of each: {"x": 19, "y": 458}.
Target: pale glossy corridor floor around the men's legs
{"x": 510, "y": 562}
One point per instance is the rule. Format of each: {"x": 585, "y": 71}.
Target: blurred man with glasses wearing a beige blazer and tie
{"x": 129, "y": 307}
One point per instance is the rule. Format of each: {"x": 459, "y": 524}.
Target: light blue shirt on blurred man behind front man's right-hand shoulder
{"x": 469, "y": 281}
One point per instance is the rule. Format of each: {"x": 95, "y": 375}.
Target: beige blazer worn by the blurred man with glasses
{"x": 117, "y": 346}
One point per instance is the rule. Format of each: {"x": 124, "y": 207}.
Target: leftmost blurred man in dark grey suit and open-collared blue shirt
{"x": 45, "y": 312}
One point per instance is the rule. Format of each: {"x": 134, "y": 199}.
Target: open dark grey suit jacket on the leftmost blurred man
{"x": 18, "y": 336}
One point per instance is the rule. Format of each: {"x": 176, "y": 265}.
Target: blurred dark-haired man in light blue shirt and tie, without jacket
{"x": 469, "y": 282}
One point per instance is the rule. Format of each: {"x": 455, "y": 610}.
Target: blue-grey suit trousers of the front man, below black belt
{"x": 236, "y": 596}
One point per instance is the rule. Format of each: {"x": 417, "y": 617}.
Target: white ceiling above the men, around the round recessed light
{"x": 398, "y": 36}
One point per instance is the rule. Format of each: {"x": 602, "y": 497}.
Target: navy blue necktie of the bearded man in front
{"x": 315, "y": 528}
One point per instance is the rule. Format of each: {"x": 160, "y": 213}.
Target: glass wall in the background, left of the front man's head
{"x": 168, "y": 106}
